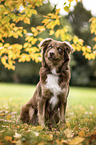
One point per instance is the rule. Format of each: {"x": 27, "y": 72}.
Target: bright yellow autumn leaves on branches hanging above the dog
{"x": 12, "y": 12}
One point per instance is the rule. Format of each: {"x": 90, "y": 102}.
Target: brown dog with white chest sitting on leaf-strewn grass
{"x": 48, "y": 104}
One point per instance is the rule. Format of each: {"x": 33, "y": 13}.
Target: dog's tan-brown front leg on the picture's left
{"x": 41, "y": 112}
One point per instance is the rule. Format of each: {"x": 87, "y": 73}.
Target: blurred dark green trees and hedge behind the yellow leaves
{"x": 83, "y": 71}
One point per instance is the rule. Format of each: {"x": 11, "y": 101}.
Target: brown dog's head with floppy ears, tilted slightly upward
{"x": 55, "y": 53}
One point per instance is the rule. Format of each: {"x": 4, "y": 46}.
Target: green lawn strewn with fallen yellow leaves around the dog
{"x": 80, "y": 127}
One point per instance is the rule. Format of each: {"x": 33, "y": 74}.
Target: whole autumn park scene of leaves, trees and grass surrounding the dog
{"x": 21, "y": 30}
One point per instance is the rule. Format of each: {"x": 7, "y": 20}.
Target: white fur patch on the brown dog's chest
{"x": 53, "y": 86}
